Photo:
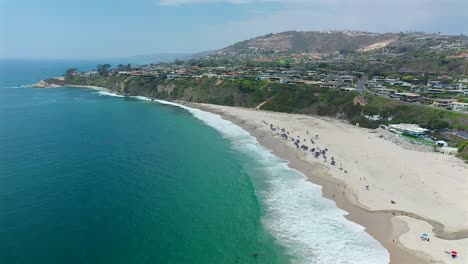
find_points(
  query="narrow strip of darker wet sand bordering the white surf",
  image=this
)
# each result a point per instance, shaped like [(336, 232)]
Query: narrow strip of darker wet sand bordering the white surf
[(318, 174)]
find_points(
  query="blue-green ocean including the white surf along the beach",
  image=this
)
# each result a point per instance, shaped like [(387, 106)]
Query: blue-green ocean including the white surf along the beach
[(90, 177)]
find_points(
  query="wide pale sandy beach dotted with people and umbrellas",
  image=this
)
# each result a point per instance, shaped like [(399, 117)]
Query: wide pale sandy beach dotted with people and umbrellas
[(396, 193)]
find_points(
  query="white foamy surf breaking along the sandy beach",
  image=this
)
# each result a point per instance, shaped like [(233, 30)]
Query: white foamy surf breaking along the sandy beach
[(311, 227)]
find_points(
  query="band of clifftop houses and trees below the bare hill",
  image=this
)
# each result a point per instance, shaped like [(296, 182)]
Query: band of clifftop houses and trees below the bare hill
[(440, 91)]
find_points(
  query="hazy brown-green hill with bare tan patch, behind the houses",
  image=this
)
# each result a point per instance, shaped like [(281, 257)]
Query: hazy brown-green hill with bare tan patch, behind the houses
[(410, 52)]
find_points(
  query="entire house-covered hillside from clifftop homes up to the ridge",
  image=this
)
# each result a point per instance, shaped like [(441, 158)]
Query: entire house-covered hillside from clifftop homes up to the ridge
[(422, 68)]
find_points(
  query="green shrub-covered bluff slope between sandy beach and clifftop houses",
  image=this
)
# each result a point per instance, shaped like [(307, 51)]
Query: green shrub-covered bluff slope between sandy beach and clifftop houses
[(301, 99)]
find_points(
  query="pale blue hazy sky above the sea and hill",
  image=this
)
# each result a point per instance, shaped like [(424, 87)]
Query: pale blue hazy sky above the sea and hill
[(91, 29)]
